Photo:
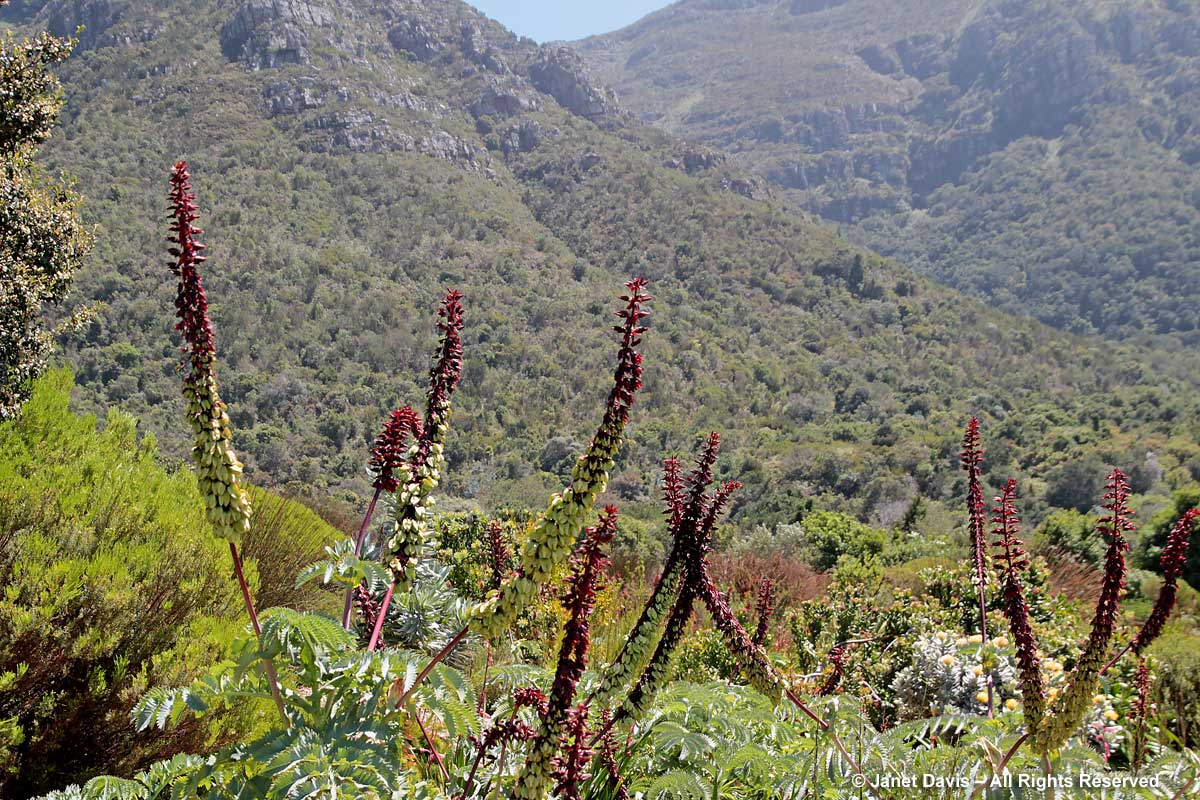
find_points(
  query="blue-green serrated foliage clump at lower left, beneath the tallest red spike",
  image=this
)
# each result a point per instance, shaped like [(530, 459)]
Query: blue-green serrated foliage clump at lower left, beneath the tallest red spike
[(344, 737)]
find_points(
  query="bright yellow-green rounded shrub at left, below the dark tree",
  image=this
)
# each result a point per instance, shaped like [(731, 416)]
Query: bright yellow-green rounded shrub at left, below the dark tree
[(112, 586)]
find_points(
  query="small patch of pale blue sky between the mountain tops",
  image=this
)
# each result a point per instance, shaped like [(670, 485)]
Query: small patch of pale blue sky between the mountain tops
[(547, 21)]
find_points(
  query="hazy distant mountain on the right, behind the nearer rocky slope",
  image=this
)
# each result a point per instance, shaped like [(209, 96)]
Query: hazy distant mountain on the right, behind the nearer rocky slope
[(1042, 154)]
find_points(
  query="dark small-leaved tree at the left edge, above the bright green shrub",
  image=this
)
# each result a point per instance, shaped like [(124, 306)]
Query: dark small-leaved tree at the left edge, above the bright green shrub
[(43, 239)]
